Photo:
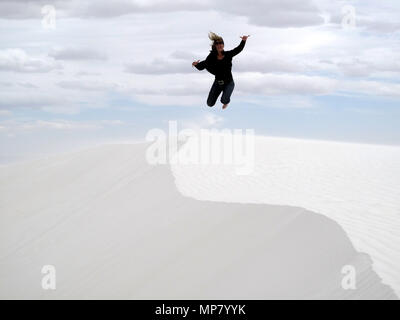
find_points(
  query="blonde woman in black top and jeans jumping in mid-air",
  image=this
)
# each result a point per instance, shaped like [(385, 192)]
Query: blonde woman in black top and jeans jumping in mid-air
[(219, 63)]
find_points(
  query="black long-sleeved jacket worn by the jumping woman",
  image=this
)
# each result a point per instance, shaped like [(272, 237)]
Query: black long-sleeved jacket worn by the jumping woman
[(222, 69)]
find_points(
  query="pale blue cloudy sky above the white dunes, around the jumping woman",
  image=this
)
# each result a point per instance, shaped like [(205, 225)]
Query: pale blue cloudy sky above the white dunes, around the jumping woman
[(77, 73)]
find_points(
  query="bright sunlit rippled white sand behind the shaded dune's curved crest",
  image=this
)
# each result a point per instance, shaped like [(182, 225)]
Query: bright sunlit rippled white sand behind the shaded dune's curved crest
[(356, 185)]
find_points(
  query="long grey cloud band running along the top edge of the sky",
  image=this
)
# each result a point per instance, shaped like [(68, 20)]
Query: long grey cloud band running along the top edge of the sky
[(274, 13)]
